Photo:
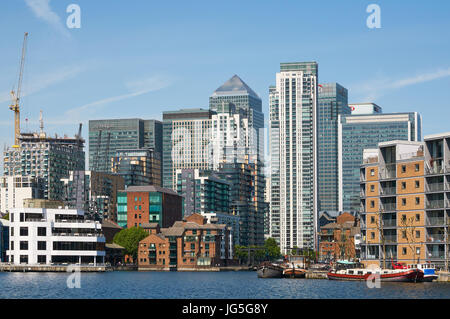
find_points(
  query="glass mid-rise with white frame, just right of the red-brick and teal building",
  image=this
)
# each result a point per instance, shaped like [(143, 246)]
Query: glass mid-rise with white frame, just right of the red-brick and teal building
[(203, 191)]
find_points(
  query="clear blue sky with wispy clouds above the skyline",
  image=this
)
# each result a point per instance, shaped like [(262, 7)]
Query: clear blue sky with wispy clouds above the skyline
[(140, 58)]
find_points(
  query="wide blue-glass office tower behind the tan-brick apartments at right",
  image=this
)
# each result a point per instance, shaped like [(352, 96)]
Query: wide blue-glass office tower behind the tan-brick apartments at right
[(357, 132)]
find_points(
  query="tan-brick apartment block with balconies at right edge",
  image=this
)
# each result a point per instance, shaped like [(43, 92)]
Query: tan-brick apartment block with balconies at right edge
[(404, 202)]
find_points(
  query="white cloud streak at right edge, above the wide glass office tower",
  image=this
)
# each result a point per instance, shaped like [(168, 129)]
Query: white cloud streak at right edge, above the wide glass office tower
[(376, 88)]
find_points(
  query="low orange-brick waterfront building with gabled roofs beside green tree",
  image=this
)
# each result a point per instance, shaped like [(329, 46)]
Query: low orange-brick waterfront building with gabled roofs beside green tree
[(191, 244)]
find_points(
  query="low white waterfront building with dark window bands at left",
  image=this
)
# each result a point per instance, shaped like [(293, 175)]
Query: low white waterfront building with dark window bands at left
[(54, 236)]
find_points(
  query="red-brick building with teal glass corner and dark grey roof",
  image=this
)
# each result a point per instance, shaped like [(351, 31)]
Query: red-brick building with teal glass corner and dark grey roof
[(148, 204)]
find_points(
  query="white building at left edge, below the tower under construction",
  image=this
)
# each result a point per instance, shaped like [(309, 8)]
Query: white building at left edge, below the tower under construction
[(14, 189)]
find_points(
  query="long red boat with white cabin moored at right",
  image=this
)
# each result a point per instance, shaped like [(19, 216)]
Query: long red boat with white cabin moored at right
[(396, 275)]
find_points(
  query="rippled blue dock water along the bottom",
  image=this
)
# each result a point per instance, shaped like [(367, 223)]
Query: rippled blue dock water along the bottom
[(210, 285)]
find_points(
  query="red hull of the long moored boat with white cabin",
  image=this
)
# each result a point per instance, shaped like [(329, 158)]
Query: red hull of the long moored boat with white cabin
[(410, 275)]
